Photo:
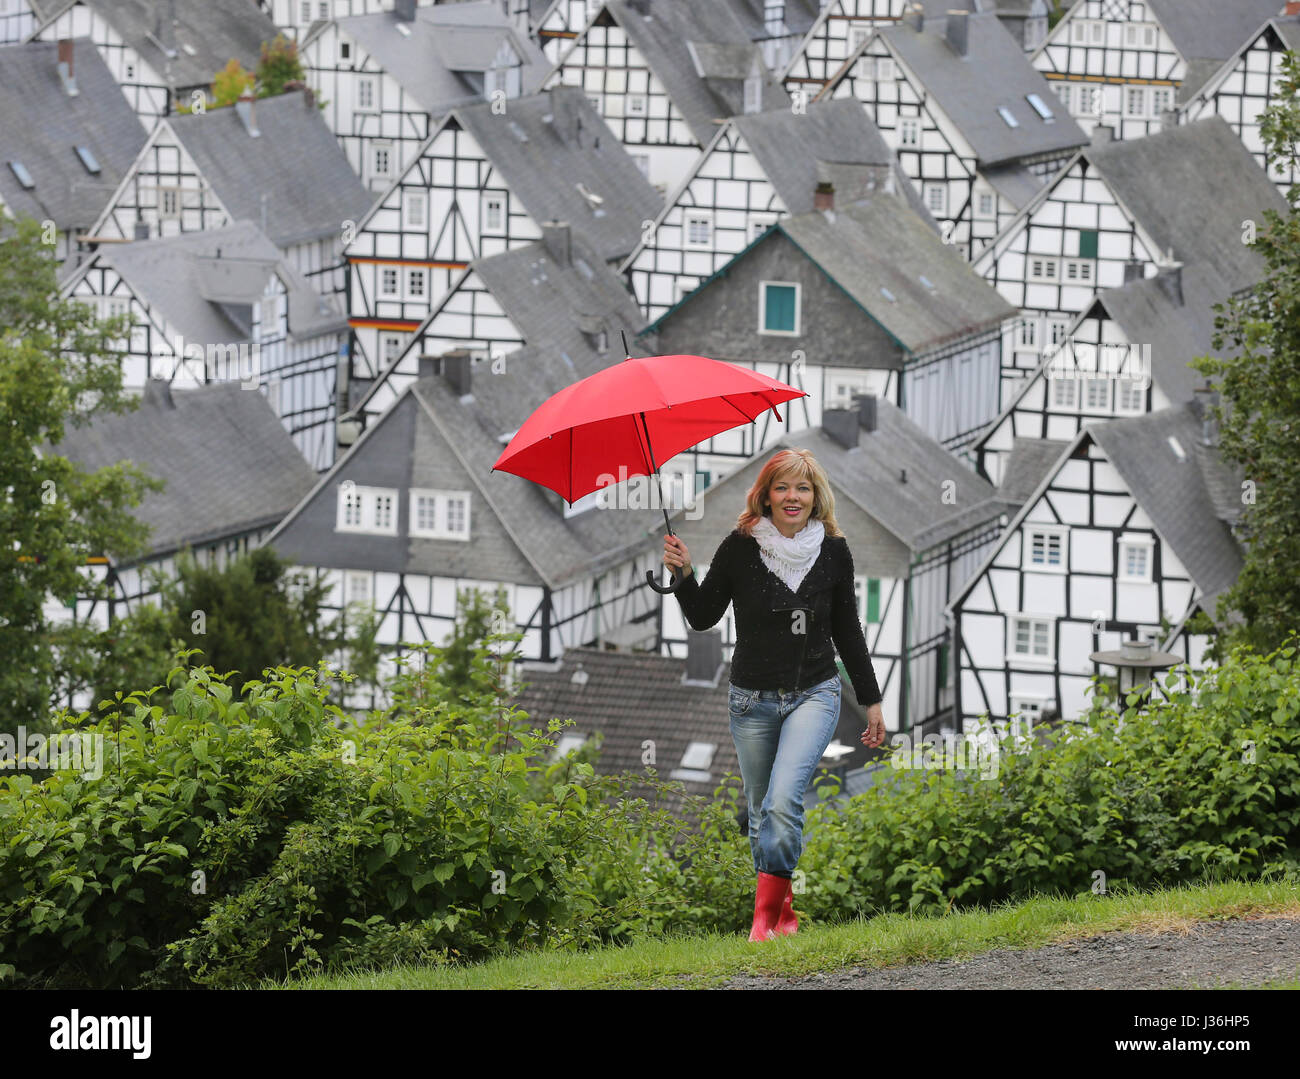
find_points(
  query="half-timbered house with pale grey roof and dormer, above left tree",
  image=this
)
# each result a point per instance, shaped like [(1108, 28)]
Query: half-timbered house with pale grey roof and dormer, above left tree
[(219, 306)]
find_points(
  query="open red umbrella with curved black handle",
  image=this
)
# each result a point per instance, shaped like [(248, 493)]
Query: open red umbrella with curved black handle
[(634, 415)]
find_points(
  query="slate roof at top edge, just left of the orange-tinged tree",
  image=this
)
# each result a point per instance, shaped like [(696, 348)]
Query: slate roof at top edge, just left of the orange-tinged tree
[(207, 34)]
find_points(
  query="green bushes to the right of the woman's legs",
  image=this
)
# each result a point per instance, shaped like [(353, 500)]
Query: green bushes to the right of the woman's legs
[(1206, 785)]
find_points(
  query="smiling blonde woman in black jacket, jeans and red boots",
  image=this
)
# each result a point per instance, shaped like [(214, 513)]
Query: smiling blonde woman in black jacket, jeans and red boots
[(788, 573)]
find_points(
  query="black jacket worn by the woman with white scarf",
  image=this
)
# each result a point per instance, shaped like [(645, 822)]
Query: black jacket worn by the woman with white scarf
[(775, 648)]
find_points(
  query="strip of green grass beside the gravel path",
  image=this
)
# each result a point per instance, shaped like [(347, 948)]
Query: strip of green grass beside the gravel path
[(885, 941)]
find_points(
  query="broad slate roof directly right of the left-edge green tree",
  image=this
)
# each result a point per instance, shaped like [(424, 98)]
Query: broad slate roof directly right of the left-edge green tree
[(228, 462)]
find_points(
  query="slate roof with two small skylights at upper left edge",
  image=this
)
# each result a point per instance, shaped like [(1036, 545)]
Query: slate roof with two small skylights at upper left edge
[(41, 125)]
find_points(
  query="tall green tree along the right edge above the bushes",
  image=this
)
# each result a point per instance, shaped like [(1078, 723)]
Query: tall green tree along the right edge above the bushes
[(1259, 414)]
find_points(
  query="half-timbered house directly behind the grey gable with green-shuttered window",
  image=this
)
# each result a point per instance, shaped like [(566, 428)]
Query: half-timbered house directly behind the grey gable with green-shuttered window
[(756, 171)]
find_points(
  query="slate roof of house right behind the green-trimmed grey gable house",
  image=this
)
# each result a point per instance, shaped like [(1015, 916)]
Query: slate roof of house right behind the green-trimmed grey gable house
[(796, 150)]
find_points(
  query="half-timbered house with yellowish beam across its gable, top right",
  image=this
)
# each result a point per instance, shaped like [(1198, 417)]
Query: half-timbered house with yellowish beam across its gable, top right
[(1125, 64)]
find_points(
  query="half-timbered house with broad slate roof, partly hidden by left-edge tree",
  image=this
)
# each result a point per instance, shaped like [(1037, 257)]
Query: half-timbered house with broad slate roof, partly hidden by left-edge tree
[(231, 475)]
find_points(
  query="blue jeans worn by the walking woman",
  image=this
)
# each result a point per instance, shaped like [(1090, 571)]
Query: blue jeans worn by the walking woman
[(779, 738)]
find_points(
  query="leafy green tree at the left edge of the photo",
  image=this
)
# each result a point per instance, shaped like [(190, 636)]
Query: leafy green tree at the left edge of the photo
[(58, 367)]
